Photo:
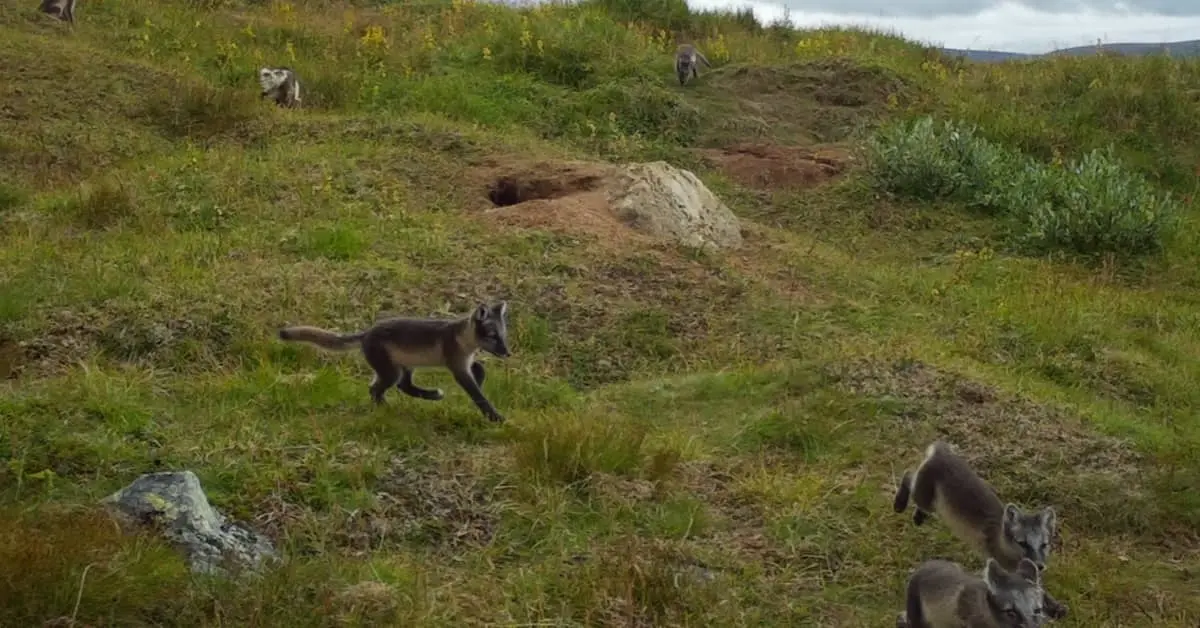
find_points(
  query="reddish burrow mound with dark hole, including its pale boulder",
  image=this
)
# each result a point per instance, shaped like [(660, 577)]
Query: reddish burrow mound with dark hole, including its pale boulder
[(635, 204)]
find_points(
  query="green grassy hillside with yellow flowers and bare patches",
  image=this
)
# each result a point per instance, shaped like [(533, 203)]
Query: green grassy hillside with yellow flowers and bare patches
[(692, 439)]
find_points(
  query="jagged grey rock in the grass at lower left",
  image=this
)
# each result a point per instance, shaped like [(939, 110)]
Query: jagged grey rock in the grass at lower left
[(176, 505)]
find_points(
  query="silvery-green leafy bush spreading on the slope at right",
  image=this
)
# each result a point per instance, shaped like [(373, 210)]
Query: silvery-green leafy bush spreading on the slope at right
[(1093, 206)]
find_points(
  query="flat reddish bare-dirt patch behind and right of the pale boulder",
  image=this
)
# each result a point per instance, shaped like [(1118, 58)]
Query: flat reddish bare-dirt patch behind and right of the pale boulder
[(767, 166)]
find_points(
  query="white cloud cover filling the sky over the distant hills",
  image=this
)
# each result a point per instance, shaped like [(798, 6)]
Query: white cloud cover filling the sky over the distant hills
[(1009, 27)]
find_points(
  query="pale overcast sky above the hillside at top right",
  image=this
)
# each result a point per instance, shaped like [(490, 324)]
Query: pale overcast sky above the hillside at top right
[(995, 25)]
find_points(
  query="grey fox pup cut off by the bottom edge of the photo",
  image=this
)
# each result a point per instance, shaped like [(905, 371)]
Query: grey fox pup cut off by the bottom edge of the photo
[(943, 595)]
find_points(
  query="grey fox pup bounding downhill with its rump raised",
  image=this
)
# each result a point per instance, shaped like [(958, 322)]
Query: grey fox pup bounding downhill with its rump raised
[(945, 485)]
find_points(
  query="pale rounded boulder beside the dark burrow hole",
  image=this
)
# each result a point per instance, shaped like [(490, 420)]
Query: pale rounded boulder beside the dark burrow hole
[(664, 201)]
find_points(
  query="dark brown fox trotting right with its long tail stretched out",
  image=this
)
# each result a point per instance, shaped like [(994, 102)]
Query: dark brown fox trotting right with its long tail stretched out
[(395, 348)]
